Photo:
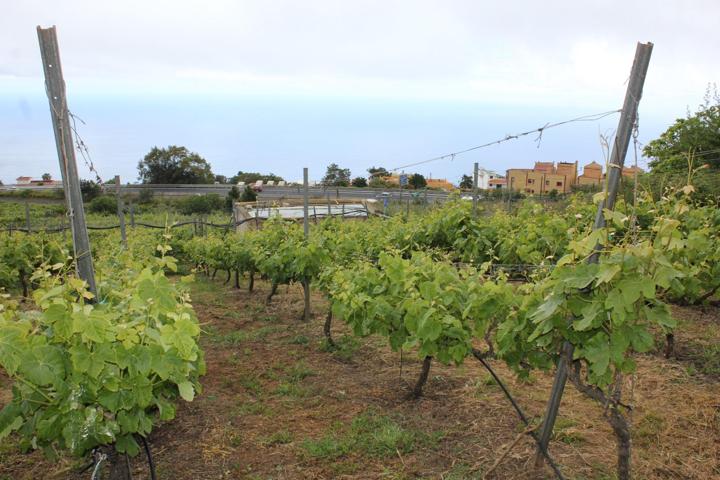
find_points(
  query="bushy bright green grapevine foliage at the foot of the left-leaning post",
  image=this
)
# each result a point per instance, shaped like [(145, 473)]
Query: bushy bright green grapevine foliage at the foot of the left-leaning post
[(91, 374)]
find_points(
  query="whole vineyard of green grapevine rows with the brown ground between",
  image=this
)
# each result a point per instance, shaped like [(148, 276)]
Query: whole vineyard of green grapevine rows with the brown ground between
[(420, 346)]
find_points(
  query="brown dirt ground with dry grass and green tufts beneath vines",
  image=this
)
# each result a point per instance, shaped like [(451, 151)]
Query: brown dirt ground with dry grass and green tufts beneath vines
[(278, 405)]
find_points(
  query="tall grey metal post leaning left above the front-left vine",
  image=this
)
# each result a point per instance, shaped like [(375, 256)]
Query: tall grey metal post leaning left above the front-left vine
[(55, 88)]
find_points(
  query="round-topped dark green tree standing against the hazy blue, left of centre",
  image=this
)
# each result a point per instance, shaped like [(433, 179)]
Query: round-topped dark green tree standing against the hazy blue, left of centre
[(174, 165)]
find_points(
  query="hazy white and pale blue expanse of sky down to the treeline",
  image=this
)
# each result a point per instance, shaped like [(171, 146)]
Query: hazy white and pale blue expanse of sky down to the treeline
[(276, 85)]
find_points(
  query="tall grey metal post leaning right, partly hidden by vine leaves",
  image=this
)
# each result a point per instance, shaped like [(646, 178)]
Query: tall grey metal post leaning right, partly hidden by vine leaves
[(626, 124)]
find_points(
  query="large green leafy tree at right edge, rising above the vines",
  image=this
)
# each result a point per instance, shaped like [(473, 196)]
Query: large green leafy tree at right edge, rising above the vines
[(697, 135)]
